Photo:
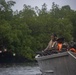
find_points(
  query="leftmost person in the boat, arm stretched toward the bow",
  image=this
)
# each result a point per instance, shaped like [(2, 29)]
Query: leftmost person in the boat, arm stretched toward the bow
[(52, 45)]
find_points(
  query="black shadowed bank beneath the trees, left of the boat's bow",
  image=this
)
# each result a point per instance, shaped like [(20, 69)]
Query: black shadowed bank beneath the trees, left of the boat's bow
[(9, 58)]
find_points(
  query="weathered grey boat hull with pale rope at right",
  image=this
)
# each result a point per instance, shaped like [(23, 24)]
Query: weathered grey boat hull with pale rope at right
[(63, 63)]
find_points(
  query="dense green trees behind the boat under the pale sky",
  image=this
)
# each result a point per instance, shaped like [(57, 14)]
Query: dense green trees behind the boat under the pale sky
[(27, 31)]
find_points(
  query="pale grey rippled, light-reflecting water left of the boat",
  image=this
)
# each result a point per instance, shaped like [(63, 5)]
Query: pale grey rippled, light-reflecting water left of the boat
[(20, 70)]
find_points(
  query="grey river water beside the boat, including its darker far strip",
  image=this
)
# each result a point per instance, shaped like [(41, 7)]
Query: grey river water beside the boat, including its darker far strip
[(19, 69)]
